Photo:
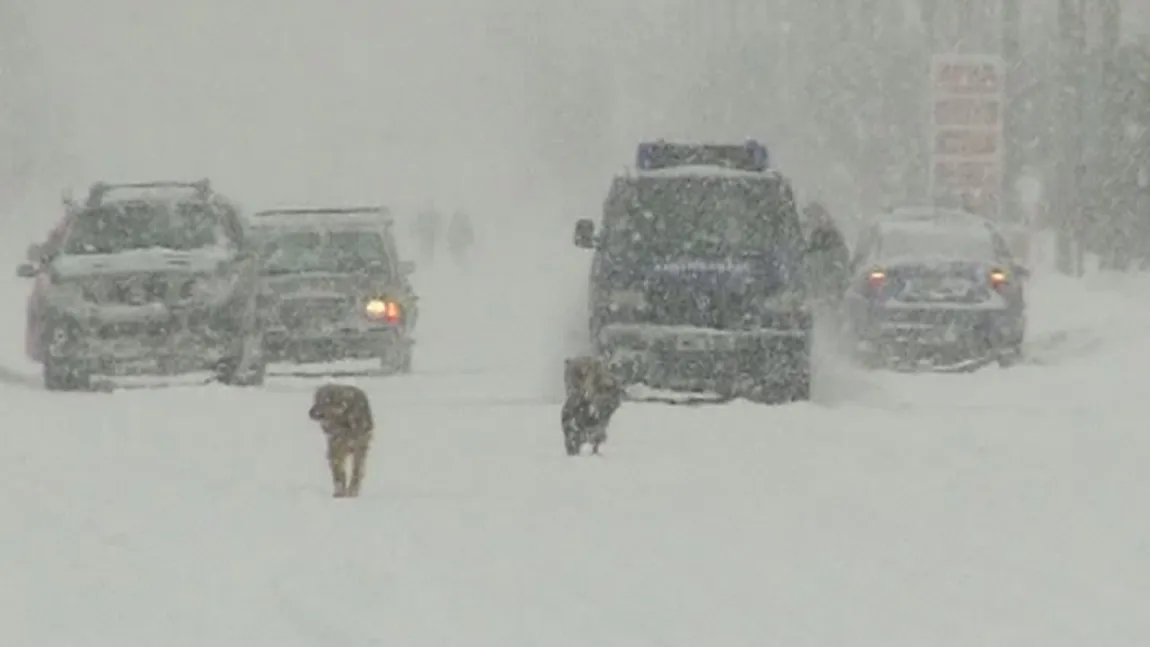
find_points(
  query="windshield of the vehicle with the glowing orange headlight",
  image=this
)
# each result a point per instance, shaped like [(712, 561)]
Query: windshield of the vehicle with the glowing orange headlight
[(340, 252)]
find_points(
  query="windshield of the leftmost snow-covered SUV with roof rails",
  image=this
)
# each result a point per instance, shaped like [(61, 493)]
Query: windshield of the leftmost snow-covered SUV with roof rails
[(117, 228)]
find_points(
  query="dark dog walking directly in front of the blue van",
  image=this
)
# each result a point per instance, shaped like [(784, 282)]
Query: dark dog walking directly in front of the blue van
[(594, 396)]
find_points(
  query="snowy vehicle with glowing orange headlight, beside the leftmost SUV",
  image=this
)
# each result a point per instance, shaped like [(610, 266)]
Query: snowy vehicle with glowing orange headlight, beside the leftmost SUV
[(334, 288)]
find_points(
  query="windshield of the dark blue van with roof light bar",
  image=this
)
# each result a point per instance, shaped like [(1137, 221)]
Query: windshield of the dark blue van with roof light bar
[(701, 218)]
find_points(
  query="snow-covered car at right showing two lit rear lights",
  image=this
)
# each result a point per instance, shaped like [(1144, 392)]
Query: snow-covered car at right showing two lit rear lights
[(939, 288)]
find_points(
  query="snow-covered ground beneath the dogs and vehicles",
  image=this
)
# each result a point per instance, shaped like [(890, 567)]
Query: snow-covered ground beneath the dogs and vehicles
[(1003, 507)]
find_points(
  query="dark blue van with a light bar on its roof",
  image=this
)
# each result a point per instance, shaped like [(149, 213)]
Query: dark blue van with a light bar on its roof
[(697, 282)]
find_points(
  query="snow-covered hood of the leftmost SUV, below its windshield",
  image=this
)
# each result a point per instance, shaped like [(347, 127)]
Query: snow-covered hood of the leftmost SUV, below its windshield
[(141, 261)]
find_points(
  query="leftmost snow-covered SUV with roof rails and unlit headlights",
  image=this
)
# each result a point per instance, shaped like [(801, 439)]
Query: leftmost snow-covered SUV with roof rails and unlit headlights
[(155, 279)]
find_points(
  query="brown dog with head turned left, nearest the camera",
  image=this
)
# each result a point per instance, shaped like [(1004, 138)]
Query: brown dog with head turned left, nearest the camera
[(346, 417)]
